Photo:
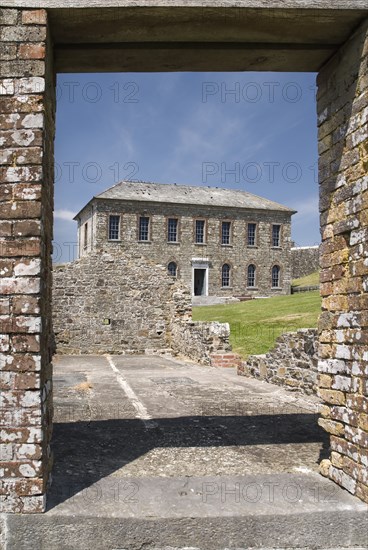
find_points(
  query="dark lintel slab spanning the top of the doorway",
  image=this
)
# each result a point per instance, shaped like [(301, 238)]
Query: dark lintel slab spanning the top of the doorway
[(197, 35)]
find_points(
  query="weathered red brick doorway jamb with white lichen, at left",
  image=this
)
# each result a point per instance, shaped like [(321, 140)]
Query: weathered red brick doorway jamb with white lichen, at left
[(27, 107)]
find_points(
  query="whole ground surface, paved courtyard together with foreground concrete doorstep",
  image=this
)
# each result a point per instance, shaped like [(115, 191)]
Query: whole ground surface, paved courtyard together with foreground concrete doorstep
[(152, 453)]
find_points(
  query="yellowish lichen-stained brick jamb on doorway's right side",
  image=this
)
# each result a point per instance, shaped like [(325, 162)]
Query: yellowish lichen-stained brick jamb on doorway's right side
[(343, 366)]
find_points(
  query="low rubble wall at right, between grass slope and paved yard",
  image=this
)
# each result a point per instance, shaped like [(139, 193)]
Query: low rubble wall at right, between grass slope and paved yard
[(292, 362)]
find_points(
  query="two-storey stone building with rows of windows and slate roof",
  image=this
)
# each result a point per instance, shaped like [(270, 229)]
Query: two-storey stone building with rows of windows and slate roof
[(220, 242)]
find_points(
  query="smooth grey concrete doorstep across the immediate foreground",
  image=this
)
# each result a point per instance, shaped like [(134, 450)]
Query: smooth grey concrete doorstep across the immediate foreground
[(206, 513)]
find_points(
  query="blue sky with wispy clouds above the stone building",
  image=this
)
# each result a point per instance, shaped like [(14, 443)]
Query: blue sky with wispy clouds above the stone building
[(251, 131)]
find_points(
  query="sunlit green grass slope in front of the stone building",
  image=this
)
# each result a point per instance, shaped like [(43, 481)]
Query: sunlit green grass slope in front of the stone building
[(256, 324)]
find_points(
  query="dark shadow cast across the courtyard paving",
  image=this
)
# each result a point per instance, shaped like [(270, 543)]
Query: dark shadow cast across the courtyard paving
[(88, 451)]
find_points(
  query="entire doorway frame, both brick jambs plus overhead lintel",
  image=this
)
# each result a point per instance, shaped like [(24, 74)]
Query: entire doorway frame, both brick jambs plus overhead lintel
[(38, 42)]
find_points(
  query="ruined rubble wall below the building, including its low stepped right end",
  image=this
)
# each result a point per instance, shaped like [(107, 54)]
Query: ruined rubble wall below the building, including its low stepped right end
[(104, 303)]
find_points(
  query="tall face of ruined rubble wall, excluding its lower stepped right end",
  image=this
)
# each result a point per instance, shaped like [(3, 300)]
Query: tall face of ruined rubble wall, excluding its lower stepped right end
[(131, 295)]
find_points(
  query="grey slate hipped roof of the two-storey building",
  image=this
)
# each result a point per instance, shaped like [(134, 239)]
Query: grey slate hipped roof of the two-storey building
[(185, 194)]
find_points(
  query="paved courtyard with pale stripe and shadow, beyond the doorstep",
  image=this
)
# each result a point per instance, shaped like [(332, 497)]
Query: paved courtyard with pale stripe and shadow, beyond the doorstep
[(150, 416)]
